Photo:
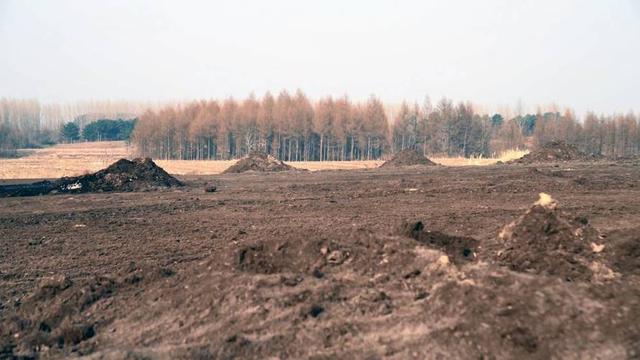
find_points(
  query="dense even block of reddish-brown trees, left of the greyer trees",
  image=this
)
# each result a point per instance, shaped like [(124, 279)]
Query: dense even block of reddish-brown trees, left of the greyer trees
[(290, 127)]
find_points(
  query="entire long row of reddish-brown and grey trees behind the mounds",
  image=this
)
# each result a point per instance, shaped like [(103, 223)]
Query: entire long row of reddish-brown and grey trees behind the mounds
[(292, 128)]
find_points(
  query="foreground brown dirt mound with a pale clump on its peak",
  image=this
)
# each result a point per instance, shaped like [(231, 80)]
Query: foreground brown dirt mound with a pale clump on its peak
[(547, 241)]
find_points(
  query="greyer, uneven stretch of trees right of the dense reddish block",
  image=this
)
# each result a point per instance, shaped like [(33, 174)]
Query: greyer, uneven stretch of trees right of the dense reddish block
[(459, 131)]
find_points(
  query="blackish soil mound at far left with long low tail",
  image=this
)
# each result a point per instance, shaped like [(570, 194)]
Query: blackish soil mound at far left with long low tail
[(124, 175)]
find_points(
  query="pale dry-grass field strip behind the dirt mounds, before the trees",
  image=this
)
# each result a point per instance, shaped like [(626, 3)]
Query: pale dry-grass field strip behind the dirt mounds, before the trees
[(77, 159)]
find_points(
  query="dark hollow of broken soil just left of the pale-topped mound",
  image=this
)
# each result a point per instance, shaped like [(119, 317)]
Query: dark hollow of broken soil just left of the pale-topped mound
[(459, 249)]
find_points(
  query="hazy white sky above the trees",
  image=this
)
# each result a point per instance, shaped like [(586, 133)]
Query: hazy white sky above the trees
[(581, 53)]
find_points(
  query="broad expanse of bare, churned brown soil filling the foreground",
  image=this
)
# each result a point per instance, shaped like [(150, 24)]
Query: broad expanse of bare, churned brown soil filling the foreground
[(400, 263)]
